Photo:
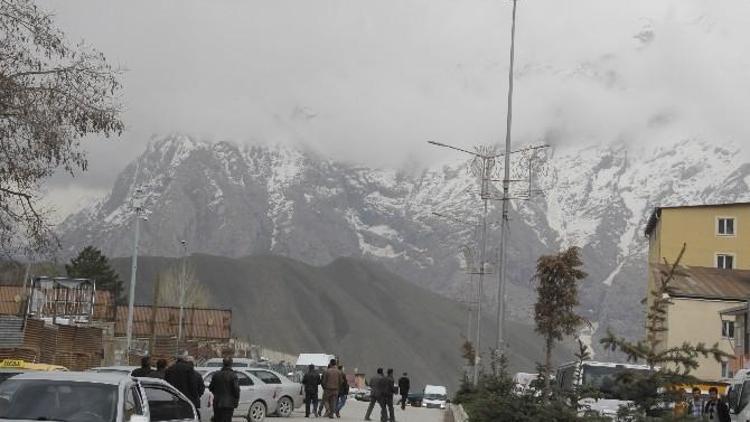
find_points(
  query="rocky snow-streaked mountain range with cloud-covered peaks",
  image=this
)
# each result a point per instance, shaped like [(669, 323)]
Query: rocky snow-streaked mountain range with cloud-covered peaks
[(231, 200)]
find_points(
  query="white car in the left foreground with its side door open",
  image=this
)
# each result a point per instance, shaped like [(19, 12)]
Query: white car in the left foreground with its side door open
[(92, 397)]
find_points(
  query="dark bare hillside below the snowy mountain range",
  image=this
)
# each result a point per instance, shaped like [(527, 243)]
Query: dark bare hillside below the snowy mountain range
[(355, 309)]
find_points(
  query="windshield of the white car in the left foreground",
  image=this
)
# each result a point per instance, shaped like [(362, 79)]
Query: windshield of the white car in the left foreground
[(65, 401)]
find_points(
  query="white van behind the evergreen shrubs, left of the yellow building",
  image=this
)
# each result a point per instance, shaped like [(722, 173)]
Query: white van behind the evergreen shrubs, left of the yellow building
[(602, 376)]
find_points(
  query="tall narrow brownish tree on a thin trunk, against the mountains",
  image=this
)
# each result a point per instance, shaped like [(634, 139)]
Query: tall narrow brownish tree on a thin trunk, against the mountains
[(557, 296)]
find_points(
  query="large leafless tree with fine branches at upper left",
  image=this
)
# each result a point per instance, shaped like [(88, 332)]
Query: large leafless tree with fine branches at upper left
[(52, 95)]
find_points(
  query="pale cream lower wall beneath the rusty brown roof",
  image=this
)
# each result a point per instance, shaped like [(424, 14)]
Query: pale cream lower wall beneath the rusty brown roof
[(693, 321)]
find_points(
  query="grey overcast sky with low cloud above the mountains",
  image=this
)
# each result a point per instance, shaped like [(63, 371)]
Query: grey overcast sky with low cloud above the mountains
[(372, 81)]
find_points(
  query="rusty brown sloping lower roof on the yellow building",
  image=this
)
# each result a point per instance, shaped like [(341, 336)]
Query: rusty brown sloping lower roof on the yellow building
[(707, 283)]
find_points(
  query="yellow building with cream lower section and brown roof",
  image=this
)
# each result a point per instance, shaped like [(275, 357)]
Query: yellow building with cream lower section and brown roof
[(717, 240)]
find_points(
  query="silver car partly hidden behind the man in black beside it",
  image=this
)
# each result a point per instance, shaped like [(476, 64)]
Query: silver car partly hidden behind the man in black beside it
[(257, 399)]
